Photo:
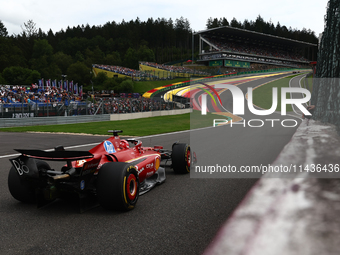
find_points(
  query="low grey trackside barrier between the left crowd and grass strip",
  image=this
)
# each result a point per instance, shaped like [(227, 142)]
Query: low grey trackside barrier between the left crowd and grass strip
[(36, 121)]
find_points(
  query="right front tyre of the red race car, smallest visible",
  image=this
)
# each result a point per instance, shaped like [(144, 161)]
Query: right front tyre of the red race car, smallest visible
[(181, 158)]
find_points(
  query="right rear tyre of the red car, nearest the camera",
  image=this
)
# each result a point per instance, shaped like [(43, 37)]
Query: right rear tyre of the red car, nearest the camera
[(118, 186)]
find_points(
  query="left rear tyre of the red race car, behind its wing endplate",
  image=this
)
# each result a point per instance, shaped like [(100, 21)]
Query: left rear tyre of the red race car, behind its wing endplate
[(20, 188)]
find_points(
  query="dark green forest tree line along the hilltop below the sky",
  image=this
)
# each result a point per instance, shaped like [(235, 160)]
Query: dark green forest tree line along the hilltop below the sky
[(35, 54)]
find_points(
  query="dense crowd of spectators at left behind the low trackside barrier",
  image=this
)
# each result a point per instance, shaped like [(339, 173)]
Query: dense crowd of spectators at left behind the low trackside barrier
[(32, 95)]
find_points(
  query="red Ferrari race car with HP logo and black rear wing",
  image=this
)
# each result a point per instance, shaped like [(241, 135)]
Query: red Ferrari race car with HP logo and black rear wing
[(113, 174)]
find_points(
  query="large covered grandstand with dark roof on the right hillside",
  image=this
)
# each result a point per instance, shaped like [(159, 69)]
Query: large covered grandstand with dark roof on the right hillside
[(239, 48)]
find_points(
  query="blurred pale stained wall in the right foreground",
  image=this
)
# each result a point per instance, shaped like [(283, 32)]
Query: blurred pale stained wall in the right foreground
[(292, 215)]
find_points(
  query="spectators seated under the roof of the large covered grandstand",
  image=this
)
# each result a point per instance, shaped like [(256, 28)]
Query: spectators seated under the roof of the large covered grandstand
[(228, 46)]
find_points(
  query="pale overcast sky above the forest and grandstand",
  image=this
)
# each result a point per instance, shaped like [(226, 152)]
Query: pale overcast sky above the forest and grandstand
[(58, 14)]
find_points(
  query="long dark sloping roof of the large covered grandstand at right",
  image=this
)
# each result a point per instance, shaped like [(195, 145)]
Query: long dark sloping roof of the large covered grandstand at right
[(242, 33)]
